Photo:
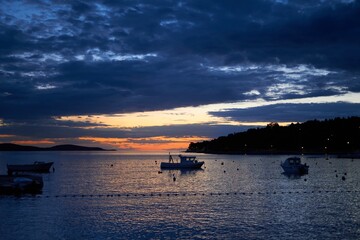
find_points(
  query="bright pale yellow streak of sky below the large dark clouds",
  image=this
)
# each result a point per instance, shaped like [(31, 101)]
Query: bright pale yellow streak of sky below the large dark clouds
[(199, 114)]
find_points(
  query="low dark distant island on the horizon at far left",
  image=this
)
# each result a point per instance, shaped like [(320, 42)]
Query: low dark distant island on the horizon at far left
[(66, 147)]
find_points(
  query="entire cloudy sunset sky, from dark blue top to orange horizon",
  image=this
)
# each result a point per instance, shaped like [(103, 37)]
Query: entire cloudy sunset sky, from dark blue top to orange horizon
[(155, 75)]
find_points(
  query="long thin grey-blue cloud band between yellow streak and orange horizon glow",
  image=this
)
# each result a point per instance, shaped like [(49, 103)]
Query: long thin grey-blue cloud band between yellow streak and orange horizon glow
[(39, 130)]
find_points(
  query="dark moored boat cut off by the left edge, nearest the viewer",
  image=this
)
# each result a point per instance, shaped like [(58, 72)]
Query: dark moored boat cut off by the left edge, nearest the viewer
[(18, 184)]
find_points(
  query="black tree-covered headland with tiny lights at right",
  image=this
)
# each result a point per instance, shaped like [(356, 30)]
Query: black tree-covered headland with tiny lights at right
[(334, 136)]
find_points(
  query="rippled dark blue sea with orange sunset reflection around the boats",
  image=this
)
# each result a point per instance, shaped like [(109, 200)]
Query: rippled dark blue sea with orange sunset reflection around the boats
[(106, 195)]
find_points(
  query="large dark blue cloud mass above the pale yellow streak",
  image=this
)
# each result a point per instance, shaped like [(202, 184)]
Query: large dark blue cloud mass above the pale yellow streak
[(100, 57)]
